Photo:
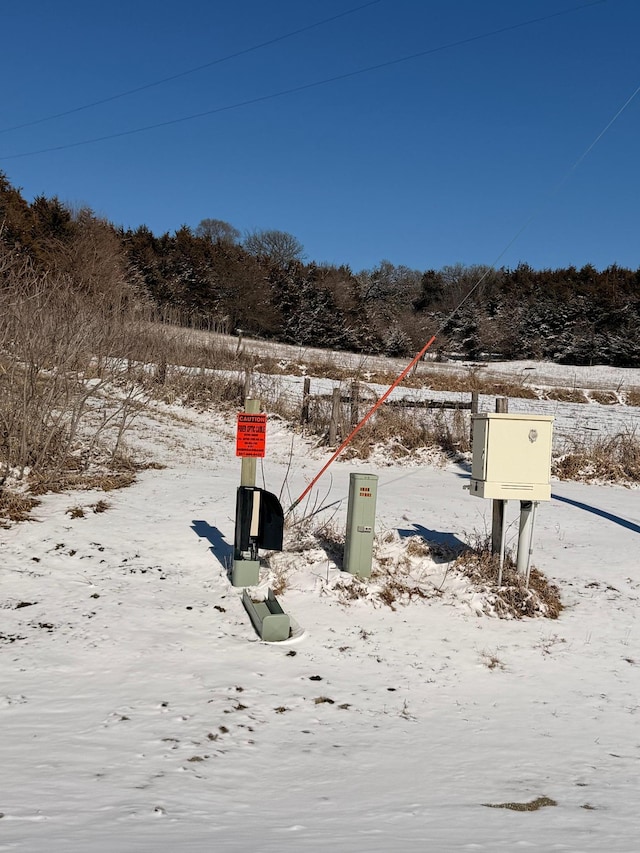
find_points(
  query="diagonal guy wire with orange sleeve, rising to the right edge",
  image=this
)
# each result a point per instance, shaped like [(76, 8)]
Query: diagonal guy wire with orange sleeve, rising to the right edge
[(443, 325)]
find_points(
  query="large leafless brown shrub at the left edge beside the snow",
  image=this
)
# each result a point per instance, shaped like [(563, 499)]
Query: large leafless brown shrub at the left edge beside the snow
[(58, 409)]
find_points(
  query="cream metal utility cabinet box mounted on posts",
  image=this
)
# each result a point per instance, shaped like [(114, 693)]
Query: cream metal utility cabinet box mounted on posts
[(511, 456)]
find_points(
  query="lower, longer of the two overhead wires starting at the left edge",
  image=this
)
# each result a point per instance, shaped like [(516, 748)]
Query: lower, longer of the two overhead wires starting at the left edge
[(304, 87)]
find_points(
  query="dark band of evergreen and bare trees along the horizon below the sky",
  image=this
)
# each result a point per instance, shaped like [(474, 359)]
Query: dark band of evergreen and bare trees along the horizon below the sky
[(213, 277)]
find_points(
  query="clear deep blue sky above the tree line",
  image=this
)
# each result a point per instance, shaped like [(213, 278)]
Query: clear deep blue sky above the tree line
[(431, 161)]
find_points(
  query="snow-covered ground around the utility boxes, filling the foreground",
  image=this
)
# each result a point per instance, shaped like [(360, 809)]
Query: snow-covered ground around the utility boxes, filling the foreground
[(140, 712)]
